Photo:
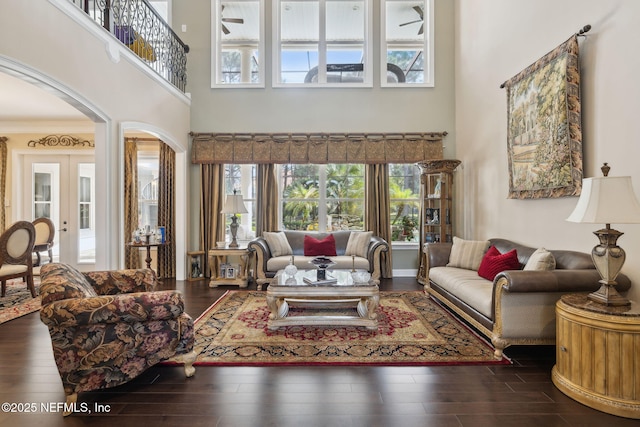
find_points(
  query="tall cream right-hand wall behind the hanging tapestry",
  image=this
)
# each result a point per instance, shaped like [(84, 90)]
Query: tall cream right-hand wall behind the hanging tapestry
[(496, 39)]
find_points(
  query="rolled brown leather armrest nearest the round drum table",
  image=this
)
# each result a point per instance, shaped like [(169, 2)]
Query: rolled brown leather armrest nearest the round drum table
[(560, 280)]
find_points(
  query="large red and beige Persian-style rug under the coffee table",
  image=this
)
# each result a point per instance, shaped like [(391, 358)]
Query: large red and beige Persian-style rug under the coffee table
[(412, 330)]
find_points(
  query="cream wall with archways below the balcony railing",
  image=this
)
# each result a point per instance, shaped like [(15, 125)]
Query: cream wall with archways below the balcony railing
[(105, 79)]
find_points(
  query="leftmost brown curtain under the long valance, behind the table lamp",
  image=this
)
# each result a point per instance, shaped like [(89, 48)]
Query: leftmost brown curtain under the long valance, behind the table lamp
[(212, 225)]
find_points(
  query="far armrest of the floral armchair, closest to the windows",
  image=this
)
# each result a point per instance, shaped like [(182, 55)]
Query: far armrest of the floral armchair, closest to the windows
[(122, 281)]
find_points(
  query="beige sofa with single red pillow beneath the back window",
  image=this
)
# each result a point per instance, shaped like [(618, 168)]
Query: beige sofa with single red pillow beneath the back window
[(353, 249)]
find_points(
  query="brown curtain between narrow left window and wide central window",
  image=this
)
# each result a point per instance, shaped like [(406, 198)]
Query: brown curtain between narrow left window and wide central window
[(267, 192)]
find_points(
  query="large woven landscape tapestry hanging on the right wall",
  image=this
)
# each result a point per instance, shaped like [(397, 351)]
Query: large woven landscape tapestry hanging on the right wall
[(544, 135)]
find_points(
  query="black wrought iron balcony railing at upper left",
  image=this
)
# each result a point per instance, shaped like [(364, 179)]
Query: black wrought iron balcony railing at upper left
[(136, 24)]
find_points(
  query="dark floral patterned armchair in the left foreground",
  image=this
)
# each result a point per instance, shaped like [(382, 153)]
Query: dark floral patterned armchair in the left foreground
[(108, 327)]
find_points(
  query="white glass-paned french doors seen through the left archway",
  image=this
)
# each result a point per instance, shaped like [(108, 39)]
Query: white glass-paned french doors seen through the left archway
[(62, 188)]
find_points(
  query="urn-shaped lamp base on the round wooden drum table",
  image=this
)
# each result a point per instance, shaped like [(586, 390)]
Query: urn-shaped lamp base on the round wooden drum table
[(608, 258)]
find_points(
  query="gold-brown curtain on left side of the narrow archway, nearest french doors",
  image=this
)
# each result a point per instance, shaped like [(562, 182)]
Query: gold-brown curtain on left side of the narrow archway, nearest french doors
[(132, 258)]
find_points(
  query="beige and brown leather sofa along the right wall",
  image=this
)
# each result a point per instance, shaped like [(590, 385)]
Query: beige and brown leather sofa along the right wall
[(517, 307)]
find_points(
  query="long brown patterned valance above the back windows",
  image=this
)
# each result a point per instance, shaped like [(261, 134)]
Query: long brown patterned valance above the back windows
[(321, 148)]
